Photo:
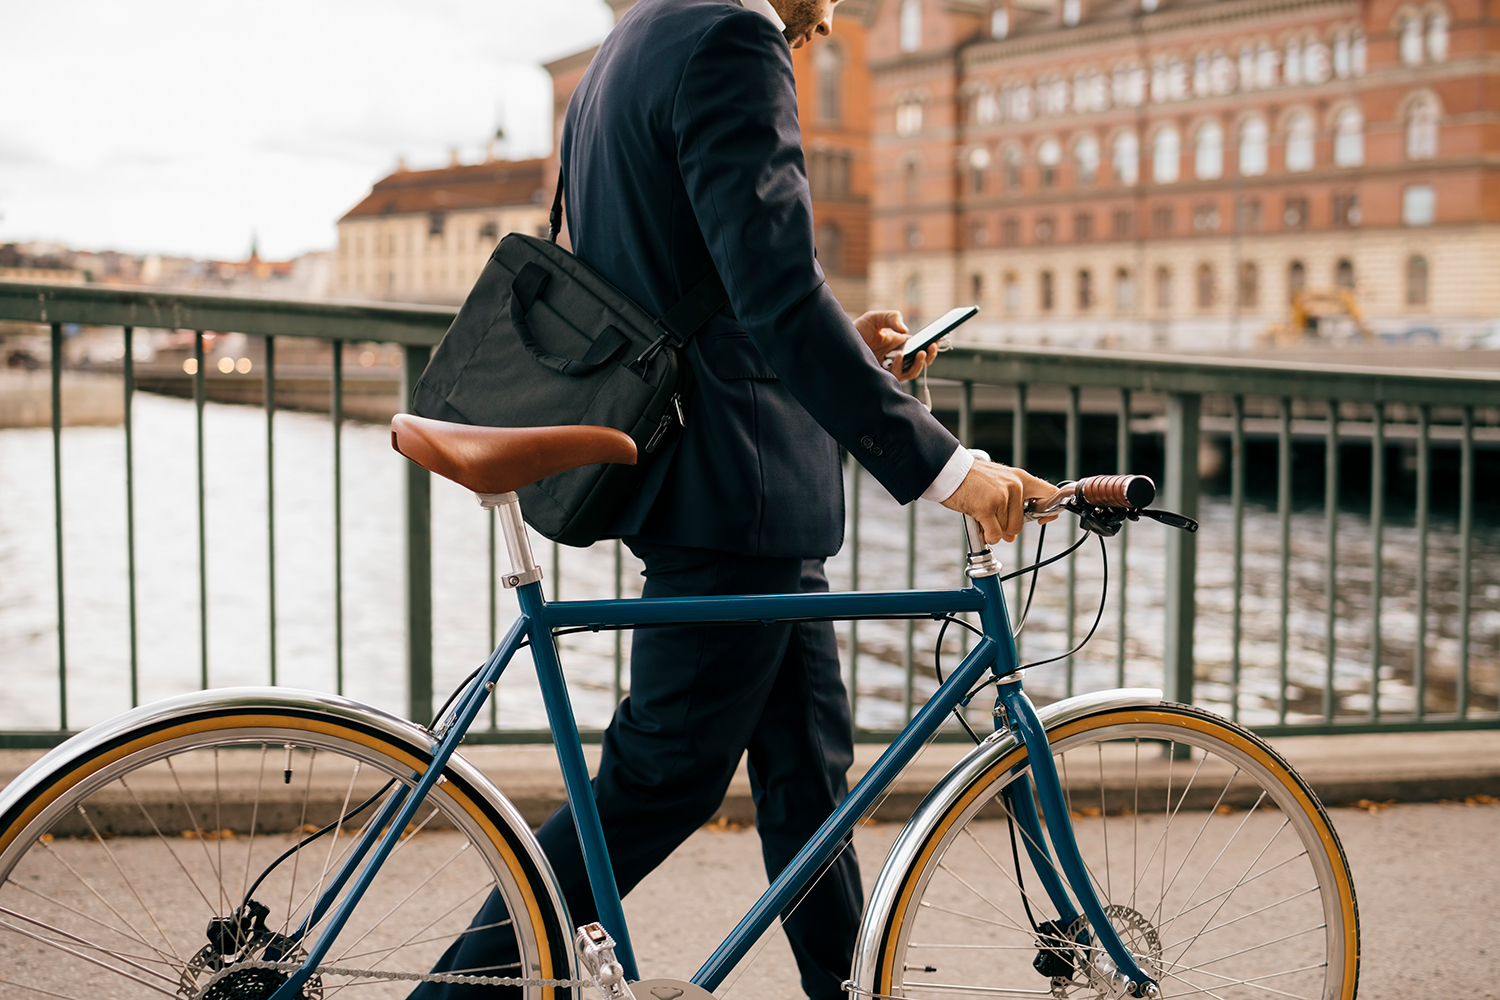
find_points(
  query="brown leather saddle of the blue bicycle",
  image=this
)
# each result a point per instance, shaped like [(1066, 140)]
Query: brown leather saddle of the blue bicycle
[(505, 460)]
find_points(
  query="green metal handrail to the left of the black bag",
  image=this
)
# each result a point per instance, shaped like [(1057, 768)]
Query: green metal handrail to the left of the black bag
[(125, 307)]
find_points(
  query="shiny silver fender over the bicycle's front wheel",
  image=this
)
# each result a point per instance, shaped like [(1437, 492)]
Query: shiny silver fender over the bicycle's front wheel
[(919, 830)]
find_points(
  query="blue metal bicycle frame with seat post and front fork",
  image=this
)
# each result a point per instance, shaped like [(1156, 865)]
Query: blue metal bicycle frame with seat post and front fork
[(541, 620)]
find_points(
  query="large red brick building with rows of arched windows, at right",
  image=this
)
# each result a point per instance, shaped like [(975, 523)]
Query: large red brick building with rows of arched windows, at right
[(1166, 173)]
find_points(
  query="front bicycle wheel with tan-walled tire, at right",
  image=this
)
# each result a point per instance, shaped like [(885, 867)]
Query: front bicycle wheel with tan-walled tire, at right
[(1216, 863)]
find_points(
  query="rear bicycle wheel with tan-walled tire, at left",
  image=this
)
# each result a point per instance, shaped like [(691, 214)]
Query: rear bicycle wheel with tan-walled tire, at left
[(133, 872)]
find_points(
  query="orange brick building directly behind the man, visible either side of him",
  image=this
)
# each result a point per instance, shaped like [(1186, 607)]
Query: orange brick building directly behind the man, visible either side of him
[(835, 107)]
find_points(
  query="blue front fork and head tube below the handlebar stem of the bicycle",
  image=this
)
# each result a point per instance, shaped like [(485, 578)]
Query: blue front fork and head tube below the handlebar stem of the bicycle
[(1016, 710)]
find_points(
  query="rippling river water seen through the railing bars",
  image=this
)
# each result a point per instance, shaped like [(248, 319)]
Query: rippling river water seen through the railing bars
[(238, 587)]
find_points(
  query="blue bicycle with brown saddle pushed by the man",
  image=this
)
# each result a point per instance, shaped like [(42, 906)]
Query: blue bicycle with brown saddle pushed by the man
[(275, 845)]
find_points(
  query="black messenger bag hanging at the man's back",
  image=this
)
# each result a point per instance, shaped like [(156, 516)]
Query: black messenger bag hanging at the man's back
[(544, 341)]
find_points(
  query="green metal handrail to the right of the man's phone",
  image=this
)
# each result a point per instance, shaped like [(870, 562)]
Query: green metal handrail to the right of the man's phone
[(1213, 376)]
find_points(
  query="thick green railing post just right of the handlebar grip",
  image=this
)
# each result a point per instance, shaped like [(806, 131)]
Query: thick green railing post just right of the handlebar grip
[(1183, 549)]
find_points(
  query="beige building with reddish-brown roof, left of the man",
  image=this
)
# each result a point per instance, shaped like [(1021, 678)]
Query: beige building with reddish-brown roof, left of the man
[(424, 236)]
